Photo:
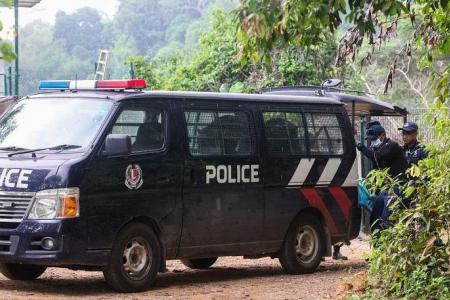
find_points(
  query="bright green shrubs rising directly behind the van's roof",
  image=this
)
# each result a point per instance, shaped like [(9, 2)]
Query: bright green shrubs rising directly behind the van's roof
[(215, 66)]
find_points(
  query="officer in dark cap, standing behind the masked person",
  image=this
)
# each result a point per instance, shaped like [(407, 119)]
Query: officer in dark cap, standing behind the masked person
[(414, 151)]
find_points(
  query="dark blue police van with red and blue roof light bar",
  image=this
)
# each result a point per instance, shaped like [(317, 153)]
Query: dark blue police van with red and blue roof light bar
[(99, 175)]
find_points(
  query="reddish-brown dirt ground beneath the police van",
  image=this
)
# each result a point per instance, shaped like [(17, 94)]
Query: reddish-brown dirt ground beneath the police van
[(229, 278)]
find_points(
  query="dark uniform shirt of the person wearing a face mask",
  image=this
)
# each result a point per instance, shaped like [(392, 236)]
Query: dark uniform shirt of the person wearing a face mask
[(388, 155)]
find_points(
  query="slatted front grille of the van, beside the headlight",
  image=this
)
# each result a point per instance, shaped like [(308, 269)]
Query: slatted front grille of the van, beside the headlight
[(14, 206)]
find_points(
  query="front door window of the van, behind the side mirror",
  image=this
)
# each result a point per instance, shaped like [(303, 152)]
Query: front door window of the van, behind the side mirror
[(145, 126)]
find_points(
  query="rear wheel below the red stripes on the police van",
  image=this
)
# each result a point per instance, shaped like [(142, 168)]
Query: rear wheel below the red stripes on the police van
[(303, 246)]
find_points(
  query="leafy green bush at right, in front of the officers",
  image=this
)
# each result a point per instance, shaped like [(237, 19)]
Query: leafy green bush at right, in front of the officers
[(411, 258)]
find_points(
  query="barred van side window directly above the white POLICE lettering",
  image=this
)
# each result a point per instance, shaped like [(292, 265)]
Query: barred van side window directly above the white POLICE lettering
[(218, 133)]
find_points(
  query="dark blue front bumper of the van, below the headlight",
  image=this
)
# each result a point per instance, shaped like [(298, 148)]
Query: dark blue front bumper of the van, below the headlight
[(23, 244)]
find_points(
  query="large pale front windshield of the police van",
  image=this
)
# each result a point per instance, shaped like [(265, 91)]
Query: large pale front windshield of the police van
[(46, 123)]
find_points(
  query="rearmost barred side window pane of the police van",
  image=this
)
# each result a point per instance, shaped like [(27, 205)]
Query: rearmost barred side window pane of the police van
[(325, 134)]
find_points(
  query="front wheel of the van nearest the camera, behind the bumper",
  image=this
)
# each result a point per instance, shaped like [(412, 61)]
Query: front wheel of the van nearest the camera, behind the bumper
[(135, 260)]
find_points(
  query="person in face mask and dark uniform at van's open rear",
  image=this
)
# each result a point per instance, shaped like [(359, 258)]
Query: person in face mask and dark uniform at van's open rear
[(385, 153)]
